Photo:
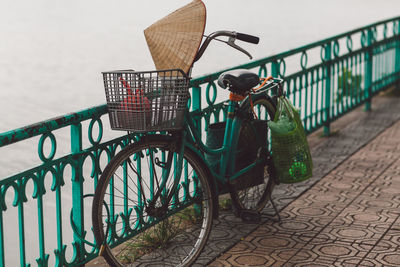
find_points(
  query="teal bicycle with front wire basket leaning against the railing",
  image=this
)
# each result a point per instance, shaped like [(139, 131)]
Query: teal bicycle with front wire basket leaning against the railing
[(158, 196)]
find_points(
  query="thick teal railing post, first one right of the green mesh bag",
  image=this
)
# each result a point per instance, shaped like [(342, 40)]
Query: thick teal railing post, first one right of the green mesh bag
[(328, 82)]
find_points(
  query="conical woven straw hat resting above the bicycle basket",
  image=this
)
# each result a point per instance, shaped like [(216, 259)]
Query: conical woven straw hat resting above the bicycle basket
[(174, 40)]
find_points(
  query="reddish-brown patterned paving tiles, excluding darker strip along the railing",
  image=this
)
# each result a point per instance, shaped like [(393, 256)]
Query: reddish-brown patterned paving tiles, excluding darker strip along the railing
[(350, 217)]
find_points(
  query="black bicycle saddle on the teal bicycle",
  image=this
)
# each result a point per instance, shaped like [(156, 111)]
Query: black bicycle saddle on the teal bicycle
[(238, 81)]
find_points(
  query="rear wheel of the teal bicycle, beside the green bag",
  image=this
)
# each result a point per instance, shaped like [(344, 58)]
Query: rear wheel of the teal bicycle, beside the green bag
[(254, 197)]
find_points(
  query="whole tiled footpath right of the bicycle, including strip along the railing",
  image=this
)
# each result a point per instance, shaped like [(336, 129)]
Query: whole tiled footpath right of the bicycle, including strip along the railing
[(347, 214)]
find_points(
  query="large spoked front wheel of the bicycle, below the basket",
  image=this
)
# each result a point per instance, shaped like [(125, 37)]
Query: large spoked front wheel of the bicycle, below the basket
[(144, 213)]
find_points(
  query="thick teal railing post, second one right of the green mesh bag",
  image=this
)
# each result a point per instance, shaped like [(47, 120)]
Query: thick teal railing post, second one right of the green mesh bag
[(368, 71)]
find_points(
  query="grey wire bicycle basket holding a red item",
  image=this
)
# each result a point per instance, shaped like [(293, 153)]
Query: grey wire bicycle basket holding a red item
[(146, 101)]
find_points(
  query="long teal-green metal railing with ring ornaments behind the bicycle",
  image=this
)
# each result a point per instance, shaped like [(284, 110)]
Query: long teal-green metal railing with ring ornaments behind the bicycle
[(327, 79)]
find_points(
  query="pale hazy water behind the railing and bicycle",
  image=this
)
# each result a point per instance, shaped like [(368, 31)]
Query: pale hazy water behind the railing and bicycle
[(52, 53)]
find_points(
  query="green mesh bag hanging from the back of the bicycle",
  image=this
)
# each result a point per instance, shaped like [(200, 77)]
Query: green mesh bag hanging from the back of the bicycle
[(290, 150)]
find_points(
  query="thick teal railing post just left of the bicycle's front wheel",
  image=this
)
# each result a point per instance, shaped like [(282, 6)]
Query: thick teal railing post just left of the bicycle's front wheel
[(77, 190)]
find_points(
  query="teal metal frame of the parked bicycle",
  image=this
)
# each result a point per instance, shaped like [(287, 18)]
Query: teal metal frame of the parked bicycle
[(190, 138)]
